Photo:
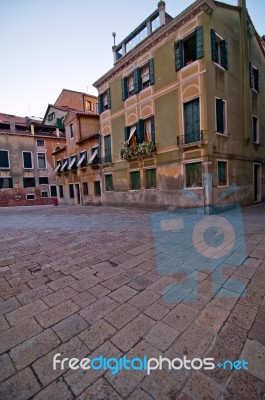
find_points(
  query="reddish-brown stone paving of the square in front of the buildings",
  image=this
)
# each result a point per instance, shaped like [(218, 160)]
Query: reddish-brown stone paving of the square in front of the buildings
[(83, 282)]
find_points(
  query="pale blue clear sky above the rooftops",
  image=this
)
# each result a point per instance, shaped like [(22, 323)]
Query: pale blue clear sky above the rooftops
[(48, 45)]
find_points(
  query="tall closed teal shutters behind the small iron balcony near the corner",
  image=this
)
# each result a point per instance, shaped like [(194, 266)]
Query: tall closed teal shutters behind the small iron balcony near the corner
[(192, 132)]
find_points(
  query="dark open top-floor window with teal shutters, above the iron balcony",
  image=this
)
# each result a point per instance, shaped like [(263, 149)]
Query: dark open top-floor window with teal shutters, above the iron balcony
[(189, 49)]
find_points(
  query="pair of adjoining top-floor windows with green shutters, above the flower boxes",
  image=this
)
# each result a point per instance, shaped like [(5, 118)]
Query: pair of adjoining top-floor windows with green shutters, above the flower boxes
[(140, 79)]
